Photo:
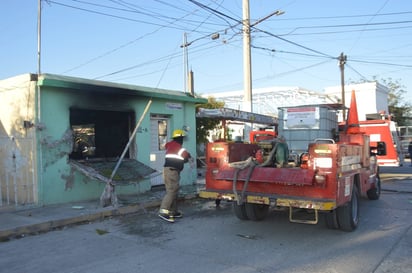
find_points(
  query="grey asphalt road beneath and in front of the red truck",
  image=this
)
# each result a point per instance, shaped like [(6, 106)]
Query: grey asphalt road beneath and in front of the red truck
[(210, 239)]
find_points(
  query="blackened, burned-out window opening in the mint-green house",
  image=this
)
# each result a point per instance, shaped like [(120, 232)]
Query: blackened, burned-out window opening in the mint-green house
[(99, 133)]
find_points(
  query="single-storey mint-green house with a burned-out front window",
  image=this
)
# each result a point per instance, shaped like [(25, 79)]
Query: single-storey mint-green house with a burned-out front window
[(61, 137)]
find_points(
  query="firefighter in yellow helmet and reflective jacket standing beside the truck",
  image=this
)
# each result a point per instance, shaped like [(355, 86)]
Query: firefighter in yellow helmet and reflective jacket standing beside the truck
[(176, 157)]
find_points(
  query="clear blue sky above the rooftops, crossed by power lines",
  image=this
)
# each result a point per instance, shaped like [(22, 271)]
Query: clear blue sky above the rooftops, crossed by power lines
[(142, 42)]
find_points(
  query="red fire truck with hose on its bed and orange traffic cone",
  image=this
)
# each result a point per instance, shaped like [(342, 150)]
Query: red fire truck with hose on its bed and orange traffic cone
[(329, 180)]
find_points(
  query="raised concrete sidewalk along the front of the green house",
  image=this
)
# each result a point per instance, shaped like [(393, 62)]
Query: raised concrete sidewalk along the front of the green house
[(19, 223)]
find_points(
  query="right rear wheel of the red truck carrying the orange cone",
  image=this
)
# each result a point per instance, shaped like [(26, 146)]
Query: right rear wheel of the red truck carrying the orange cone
[(348, 214)]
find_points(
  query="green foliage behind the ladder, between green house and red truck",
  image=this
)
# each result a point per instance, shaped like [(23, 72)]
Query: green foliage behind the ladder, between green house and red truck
[(203, 125)]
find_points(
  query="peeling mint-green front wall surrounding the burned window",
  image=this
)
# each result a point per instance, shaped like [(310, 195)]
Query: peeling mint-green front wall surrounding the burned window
[(59, 183)]
